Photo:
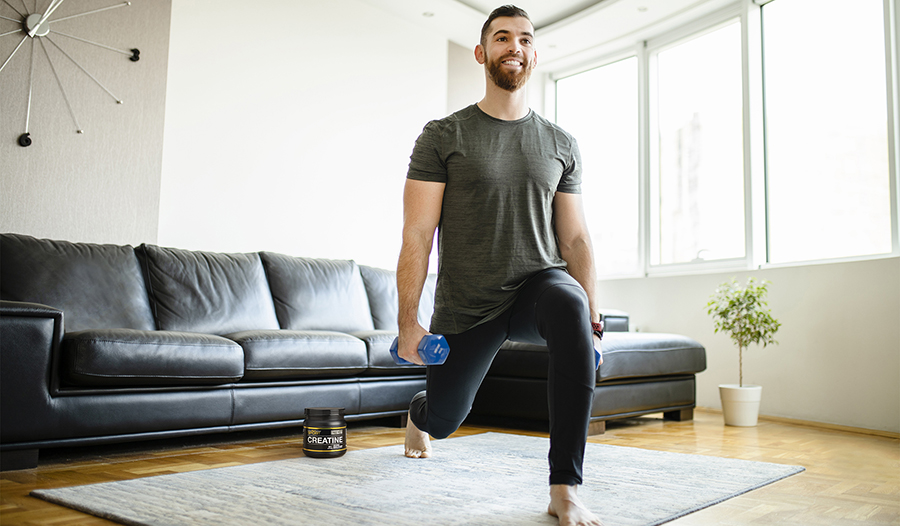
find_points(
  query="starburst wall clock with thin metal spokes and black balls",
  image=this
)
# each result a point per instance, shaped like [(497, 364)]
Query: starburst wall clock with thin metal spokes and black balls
[(36, 32)]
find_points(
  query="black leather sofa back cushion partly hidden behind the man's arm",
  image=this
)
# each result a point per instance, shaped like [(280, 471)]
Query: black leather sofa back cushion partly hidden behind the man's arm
[(381, 287)]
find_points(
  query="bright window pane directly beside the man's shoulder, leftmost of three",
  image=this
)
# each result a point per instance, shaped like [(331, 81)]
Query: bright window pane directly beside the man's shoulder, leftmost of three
[(600, 108)]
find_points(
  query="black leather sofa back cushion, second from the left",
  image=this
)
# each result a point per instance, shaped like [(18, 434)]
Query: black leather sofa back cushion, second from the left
[(207, 292)]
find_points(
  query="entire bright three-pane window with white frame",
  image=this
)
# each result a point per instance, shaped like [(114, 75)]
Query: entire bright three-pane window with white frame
[(758, 134)]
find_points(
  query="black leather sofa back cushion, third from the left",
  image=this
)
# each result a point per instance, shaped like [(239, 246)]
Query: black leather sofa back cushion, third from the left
[(317, 294)]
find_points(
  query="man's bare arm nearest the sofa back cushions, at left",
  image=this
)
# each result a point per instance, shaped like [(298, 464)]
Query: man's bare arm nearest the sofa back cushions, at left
[(422, 202)]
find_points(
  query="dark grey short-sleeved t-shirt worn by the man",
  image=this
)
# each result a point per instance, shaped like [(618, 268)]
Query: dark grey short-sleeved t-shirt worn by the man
[(496, 228)]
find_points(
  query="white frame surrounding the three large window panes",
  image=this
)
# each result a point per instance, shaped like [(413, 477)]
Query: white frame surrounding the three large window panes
[(756, 227)]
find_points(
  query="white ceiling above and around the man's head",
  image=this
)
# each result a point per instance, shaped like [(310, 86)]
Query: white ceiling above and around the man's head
[(566, 30)]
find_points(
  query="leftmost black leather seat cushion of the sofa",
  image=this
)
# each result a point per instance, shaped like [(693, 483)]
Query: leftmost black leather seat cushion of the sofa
[(128, 358)]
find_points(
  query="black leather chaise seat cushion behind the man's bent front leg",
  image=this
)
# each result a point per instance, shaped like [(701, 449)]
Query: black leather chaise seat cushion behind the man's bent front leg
[(625, 355)]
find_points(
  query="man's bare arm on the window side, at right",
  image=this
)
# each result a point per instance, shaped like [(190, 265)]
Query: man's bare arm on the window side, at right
[(575, 246)]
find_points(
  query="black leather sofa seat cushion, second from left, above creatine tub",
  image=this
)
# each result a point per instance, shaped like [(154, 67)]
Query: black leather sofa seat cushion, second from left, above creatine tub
[(285, 355)]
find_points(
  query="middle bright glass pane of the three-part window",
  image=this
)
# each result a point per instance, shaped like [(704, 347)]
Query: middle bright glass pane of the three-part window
[(697, 181)]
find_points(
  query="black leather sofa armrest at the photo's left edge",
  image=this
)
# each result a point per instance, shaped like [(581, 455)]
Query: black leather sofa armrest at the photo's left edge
[(30, 336)]
